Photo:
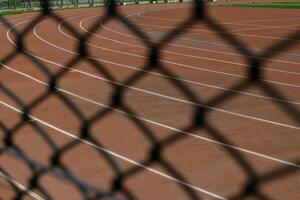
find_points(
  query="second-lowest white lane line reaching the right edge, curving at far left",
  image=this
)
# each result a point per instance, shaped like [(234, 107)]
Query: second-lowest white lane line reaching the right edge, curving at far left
[(154, 93)]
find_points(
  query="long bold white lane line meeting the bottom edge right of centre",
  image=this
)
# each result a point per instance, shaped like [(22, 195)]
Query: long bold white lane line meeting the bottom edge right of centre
[(119, 156)]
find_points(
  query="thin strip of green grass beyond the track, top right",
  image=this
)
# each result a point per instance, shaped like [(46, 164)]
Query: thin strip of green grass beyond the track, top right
[(290, 5)]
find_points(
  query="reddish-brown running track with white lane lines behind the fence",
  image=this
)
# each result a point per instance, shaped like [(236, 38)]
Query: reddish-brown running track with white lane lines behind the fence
[(252, 122)]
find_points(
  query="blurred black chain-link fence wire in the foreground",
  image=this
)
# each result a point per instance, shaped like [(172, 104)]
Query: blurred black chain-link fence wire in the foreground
[(56, 168)]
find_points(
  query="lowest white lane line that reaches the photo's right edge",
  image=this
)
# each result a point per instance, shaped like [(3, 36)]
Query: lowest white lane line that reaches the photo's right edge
[(174, 130)]
